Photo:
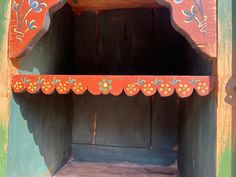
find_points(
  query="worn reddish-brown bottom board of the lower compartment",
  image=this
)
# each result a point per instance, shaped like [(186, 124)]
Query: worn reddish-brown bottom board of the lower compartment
[(87, 169)]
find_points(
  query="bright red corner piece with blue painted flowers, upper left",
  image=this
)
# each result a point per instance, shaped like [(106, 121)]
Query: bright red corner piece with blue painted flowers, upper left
[(30, 19)]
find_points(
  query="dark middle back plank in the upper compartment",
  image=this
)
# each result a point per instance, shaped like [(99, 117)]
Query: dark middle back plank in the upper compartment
[(126, 37)]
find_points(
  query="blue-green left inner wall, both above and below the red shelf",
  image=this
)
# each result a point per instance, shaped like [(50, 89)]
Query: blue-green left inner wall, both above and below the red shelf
[(40, 129)]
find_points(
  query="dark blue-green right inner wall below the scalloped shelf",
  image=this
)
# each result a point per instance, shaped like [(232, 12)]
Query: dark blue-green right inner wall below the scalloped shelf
[(197, 145)]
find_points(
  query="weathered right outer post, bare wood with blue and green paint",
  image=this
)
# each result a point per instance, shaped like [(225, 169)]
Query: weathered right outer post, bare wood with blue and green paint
[(226, 104)]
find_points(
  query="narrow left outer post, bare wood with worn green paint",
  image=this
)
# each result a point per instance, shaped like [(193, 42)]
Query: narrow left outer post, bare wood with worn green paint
[(5, 73)]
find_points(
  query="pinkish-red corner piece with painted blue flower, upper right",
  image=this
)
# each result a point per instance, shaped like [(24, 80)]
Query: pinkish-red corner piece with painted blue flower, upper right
[(196, 20)]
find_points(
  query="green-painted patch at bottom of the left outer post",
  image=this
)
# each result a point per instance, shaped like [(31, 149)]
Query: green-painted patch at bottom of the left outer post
[(3, 153)]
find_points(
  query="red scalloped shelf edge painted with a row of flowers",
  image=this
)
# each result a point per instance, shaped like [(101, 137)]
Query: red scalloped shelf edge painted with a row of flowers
[(115, 85)]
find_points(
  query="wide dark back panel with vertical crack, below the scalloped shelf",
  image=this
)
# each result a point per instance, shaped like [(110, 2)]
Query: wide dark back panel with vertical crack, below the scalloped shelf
[(120, 121)]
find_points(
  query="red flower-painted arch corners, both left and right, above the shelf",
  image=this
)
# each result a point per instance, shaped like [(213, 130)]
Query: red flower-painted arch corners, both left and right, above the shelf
[(30, 19)]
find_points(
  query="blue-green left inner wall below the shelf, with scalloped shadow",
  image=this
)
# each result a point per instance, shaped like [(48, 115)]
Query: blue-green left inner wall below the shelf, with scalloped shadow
[(39, 135)]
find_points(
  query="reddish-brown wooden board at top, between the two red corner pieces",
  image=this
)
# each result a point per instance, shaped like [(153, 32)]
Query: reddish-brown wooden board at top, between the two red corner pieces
[(97, 5)]
